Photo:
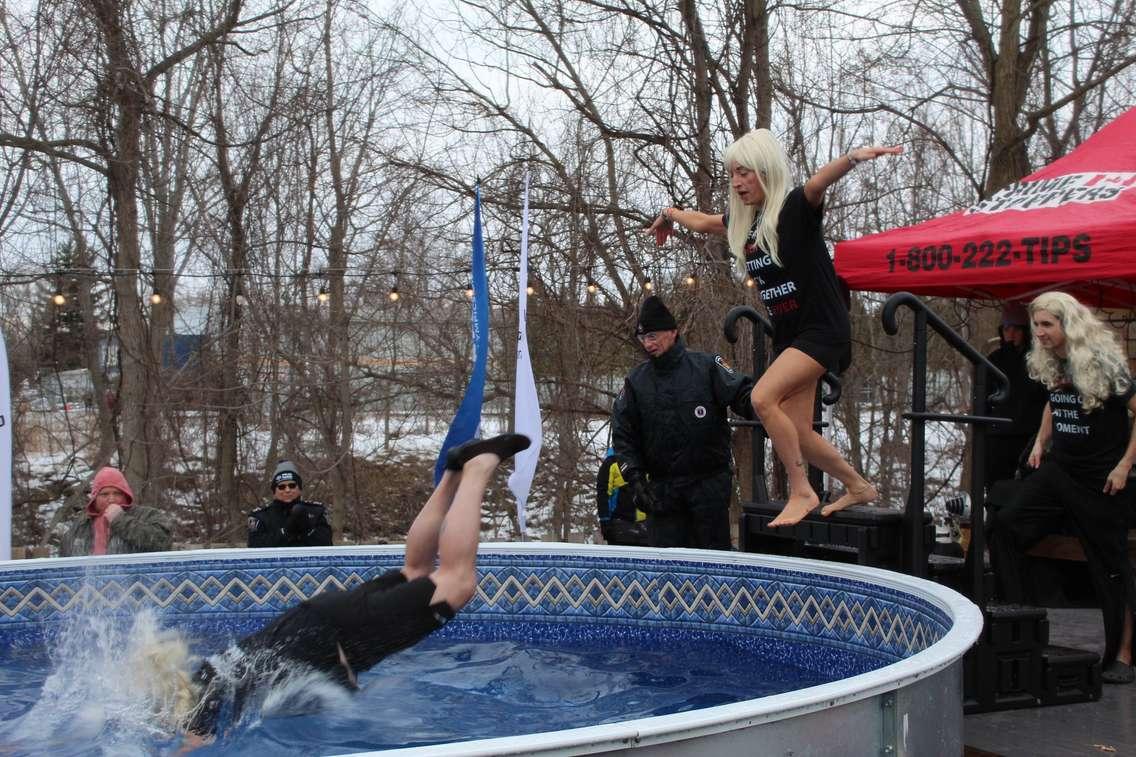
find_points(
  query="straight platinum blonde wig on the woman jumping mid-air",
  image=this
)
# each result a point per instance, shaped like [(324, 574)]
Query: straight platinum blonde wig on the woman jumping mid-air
[(759, 152)]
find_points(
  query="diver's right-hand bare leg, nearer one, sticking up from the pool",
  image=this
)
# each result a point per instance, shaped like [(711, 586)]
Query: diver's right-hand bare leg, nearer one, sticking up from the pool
[(457, 575)]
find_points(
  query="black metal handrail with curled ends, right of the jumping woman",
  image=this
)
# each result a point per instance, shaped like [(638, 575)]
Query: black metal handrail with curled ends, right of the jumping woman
[(914, 515)]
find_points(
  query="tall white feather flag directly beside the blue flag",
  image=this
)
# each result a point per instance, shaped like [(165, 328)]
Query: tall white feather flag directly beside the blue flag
[(527, 407)]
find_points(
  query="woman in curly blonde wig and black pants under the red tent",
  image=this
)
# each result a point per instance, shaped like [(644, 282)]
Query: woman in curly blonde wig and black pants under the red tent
[(1083, 480)]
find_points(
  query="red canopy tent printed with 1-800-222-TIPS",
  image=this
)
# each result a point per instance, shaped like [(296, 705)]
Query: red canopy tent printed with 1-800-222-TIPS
[(1071, 226)]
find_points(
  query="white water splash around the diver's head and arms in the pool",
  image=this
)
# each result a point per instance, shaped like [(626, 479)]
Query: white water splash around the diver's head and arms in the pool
[(120, 686)]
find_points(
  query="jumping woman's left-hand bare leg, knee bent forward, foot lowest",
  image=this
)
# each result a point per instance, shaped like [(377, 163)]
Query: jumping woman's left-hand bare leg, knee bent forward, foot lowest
[(792, 372)]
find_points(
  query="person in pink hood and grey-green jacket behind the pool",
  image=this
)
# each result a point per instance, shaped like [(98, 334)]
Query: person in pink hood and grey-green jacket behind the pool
[(112, 525)]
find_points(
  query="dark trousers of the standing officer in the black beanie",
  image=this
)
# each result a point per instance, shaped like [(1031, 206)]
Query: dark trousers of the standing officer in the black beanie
[(691, 512)]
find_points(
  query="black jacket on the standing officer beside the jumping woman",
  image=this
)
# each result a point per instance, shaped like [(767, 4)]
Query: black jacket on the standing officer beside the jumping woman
[(670, 420)]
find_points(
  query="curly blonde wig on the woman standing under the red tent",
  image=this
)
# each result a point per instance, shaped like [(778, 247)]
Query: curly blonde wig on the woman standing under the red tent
[(1097, 364)]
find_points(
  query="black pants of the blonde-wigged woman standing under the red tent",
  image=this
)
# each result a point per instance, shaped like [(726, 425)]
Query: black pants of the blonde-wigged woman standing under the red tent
[(1043, 504)]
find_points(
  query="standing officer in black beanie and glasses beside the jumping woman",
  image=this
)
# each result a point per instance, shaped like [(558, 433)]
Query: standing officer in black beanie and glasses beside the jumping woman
[(671, 435)]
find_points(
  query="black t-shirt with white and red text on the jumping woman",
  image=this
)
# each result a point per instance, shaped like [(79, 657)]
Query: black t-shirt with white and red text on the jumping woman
[(803, 298)]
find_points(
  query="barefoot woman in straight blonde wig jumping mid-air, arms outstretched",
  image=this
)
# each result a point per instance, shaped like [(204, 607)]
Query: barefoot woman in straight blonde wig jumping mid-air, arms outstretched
[(776, 236)]
